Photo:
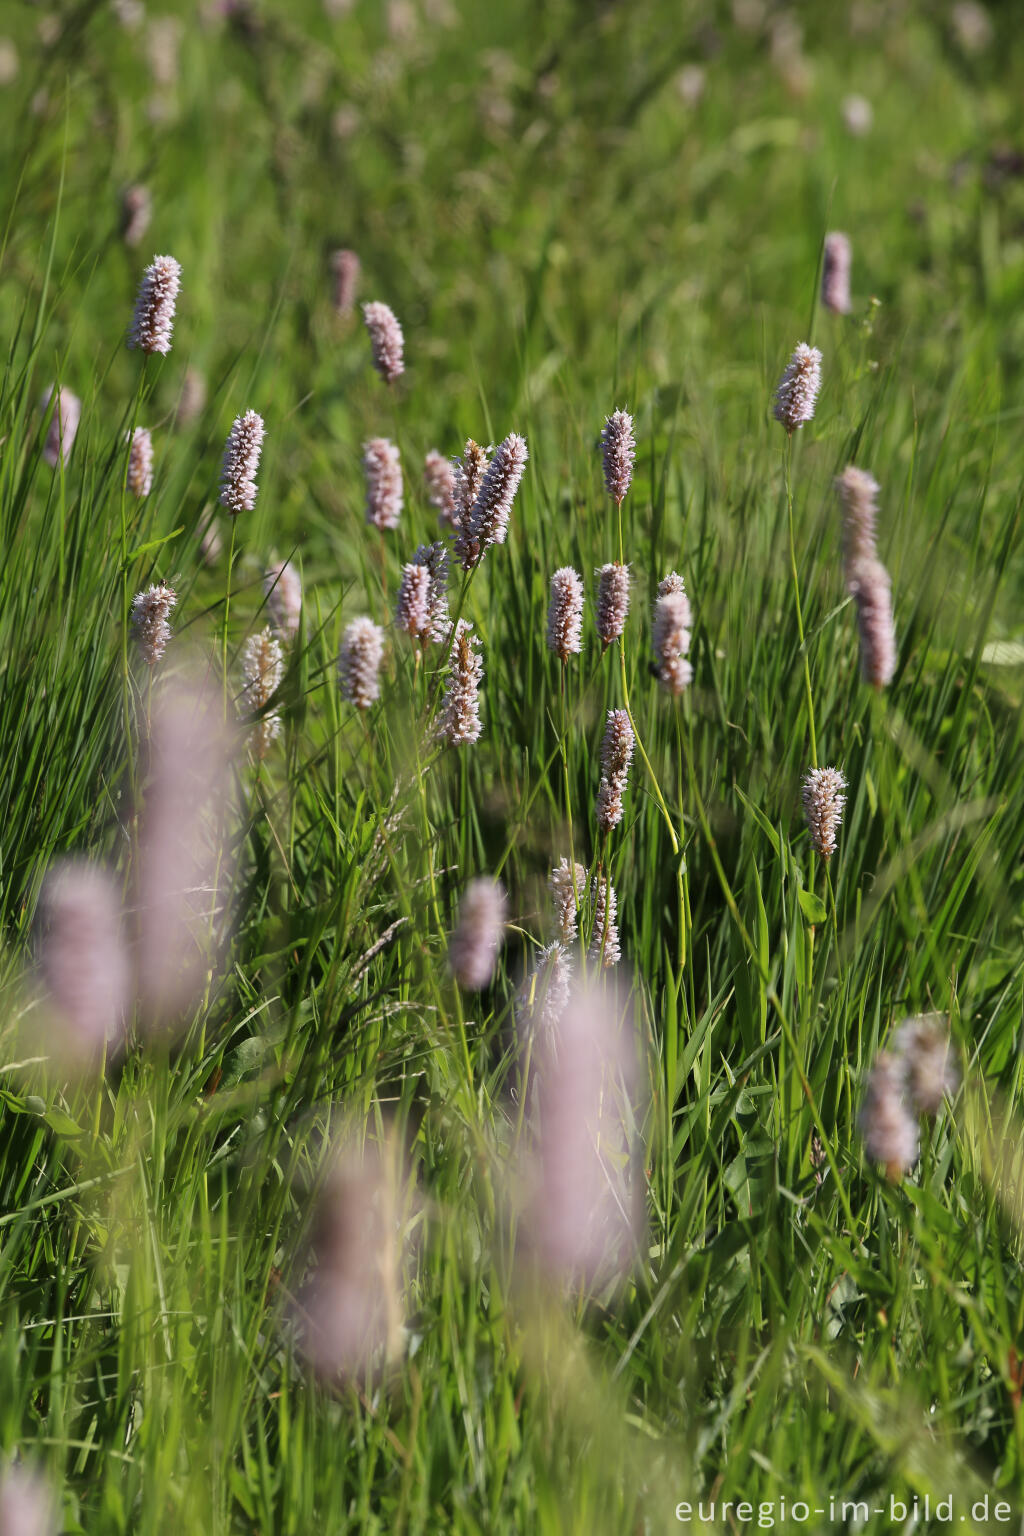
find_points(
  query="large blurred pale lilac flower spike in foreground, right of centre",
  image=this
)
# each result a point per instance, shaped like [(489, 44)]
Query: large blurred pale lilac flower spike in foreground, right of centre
[(584, 1210)]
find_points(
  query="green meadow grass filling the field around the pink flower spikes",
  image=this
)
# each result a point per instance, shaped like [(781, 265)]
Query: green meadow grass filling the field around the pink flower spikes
[(561, 233)]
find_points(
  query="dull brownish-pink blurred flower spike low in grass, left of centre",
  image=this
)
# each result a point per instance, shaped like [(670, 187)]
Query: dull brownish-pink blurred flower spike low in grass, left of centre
[(349, 1313)]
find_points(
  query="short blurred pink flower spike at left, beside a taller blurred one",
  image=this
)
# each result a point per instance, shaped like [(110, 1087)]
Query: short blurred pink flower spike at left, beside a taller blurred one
[(82, 959)]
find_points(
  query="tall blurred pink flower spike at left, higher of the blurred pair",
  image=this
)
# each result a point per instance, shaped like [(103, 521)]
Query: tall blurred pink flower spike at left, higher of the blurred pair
[(183, 876)]
